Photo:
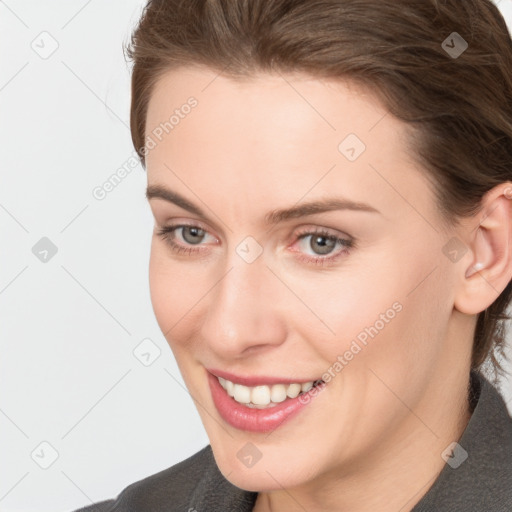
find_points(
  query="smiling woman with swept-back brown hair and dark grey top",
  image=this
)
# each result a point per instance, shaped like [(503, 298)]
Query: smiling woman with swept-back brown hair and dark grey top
[(331, 261)]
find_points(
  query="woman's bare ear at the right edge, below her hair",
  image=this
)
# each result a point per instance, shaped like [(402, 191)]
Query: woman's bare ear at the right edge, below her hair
[(488, 267)]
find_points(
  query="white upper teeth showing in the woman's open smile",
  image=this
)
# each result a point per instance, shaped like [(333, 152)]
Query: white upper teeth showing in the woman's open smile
[(261, 396)]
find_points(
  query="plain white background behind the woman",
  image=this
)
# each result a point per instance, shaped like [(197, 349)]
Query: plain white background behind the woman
[(69, 326)]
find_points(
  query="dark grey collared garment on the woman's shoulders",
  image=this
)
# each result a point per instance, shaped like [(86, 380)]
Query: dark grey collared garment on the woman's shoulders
[(481, 483)]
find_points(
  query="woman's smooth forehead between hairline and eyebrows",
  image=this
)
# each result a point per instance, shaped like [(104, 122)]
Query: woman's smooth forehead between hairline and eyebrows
[(277, 138)]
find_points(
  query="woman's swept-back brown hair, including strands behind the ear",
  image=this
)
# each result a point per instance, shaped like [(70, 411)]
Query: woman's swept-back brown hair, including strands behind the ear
[(458, 109)]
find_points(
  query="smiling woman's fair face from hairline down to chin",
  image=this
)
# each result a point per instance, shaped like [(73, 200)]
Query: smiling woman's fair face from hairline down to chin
[(264, 296)]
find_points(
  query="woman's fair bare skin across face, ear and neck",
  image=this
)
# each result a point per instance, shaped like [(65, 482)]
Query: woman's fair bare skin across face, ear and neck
[(372, 438)]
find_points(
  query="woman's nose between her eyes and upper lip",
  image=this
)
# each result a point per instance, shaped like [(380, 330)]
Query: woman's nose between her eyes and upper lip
[(244, 313)]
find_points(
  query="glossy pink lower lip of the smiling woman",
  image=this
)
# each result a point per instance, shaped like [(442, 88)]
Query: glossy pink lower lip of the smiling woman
[(252, 420)]
